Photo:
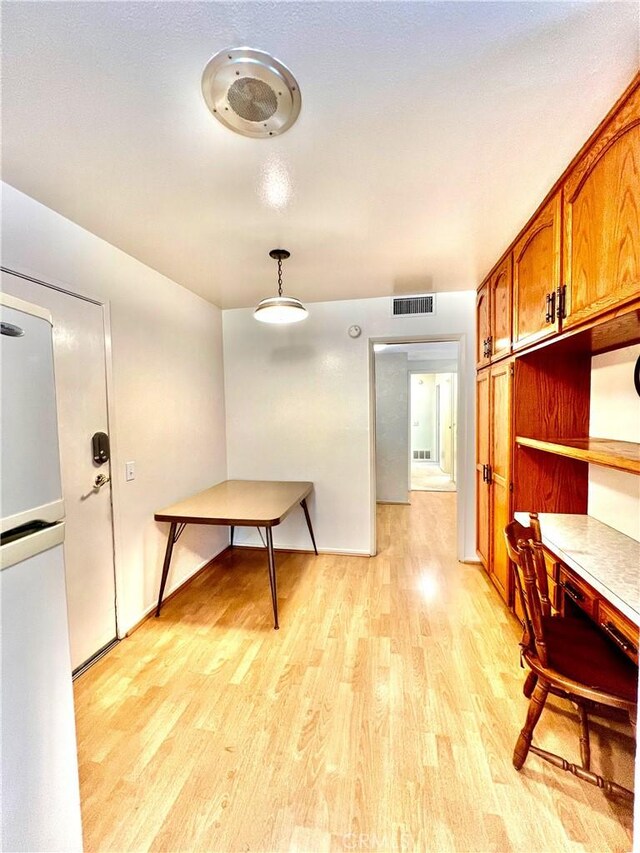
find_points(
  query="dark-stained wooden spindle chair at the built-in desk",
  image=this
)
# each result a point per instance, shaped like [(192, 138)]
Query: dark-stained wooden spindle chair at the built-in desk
[(569, 657)]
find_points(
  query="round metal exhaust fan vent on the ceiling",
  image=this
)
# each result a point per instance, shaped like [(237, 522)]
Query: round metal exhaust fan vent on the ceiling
[(250, 92)]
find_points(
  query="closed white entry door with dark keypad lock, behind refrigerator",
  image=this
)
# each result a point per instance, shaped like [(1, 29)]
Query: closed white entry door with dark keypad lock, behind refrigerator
[(79, 358)]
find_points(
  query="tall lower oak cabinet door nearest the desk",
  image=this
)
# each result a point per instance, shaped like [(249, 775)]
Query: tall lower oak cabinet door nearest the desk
[(500, 475)]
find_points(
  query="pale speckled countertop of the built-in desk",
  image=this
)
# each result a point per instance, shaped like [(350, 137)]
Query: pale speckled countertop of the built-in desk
[(605, 558)]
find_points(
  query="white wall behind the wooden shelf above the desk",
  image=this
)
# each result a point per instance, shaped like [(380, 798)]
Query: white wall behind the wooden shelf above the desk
[(614, 496)]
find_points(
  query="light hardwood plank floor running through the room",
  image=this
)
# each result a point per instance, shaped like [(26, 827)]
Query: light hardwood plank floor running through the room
[(382, 716)]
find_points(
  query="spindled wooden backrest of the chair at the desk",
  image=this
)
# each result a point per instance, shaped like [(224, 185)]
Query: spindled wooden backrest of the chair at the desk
[(525, 551)]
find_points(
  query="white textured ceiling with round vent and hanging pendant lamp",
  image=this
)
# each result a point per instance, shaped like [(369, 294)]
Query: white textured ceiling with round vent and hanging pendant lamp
[(428, 133)]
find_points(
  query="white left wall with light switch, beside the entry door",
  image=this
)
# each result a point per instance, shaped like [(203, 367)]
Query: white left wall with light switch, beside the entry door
[(167, 397)]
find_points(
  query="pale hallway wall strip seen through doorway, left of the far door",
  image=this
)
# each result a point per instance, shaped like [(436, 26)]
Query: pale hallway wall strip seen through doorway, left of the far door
[(392, 433)]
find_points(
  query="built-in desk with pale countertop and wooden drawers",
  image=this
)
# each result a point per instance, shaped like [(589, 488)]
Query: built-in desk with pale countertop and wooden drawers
[(598, 568)]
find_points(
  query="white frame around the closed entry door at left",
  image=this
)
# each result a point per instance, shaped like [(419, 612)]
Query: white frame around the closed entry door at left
[(52, 284)]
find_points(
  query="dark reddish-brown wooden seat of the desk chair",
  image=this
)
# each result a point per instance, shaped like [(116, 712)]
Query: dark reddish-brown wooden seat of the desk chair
[(578, 650)]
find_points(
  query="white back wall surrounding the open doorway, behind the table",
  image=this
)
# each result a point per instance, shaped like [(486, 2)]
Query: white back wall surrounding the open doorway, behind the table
[(298, 407)]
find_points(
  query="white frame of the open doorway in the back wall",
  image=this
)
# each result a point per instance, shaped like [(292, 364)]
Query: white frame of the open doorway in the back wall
[(461, 428)]
